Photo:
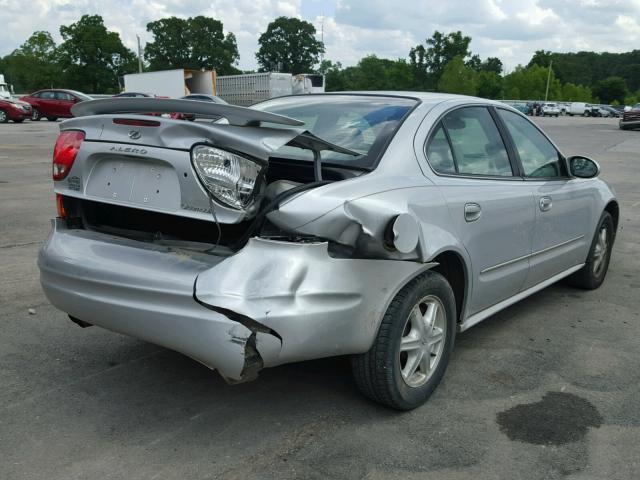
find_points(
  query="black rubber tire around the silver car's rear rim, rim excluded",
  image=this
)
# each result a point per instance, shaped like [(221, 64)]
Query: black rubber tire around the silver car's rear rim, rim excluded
[(377, 373)]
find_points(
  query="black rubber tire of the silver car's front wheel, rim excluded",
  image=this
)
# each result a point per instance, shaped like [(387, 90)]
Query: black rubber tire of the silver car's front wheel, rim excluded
[(589, 277)]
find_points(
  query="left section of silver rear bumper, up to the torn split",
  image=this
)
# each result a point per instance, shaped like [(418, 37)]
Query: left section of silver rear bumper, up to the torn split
[(146, 293)]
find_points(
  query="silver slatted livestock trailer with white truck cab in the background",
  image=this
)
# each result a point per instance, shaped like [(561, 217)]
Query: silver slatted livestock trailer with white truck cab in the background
[(251, 88)]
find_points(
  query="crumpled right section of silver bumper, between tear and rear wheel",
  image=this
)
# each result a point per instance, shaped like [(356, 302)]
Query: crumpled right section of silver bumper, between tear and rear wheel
[(317, 305)]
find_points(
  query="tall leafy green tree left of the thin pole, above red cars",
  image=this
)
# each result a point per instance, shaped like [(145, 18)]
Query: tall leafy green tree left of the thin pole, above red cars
[(92, 58)]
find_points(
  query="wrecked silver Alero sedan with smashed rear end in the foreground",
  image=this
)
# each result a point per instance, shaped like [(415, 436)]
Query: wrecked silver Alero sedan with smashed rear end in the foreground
[(309, 226)]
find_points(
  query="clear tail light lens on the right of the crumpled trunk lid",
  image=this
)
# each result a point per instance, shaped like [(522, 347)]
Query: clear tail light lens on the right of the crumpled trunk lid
[(228, 177)]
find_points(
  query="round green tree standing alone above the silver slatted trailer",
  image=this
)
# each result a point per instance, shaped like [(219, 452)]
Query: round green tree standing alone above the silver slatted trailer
[(289, 45)]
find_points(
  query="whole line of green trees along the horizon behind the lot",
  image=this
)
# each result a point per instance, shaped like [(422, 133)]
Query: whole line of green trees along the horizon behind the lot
[(91, 58)]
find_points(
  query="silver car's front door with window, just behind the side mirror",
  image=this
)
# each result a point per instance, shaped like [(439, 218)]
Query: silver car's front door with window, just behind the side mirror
[(563, 204)]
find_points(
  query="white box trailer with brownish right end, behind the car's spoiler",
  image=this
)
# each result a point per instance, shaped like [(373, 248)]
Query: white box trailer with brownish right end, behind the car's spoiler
[(172, 83)]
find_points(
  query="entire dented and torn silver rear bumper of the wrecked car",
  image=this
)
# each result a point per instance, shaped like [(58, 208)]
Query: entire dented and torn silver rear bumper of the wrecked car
[(271, 303)]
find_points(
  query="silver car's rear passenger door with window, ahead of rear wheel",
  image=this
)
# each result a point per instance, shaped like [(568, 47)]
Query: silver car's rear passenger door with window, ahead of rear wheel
[(492, 209)]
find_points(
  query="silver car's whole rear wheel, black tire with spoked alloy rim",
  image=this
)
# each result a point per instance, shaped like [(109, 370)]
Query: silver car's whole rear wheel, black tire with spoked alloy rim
[(414, 343)]
